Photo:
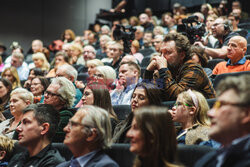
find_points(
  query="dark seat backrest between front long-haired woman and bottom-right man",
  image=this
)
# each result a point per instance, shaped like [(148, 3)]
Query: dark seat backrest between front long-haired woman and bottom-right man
[(188, 155)]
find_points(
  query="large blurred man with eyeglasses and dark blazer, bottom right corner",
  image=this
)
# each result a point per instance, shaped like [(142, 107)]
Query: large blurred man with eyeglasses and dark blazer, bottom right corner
[(230, 124)]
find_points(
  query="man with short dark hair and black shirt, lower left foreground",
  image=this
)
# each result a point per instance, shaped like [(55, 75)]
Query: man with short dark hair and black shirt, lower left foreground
[(37, 128)]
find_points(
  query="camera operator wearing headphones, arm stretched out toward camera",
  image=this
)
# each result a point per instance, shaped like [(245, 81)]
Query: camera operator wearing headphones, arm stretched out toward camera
[(222, 30)]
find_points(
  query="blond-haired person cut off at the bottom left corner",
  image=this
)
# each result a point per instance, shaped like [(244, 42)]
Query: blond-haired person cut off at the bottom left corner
[(6, 150)]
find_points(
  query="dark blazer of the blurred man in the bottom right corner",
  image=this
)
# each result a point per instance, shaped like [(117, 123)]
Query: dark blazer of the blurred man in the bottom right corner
[(237, 155)]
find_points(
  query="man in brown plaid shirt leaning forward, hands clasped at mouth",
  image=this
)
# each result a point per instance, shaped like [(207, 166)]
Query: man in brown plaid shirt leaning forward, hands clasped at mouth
[(177, 72)]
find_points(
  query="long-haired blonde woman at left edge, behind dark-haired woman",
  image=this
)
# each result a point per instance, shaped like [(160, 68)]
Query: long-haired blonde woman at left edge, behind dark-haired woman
[(11, 74)]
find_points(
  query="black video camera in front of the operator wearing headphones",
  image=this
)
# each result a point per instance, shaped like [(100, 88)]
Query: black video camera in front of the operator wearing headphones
[(194, 32)]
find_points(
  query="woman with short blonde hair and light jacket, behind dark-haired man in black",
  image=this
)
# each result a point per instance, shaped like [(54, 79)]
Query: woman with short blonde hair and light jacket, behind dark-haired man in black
[(20, 98)]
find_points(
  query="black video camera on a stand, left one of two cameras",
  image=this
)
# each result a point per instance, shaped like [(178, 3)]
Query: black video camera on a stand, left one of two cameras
[(125, 33)]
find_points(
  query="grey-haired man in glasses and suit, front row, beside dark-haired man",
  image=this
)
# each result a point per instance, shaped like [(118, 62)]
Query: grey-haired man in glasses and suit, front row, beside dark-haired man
[(87, 133)]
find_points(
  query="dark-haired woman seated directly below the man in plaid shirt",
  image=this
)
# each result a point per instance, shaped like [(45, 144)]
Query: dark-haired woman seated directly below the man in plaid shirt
[(144, 94)]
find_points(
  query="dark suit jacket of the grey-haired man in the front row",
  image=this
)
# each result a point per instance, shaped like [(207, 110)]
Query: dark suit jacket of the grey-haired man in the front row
[(100, 159)]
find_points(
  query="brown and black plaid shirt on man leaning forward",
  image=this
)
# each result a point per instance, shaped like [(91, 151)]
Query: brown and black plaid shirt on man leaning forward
[(189, 76)]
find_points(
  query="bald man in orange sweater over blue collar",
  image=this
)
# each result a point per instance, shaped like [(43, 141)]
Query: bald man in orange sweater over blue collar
[(236, 49)]
